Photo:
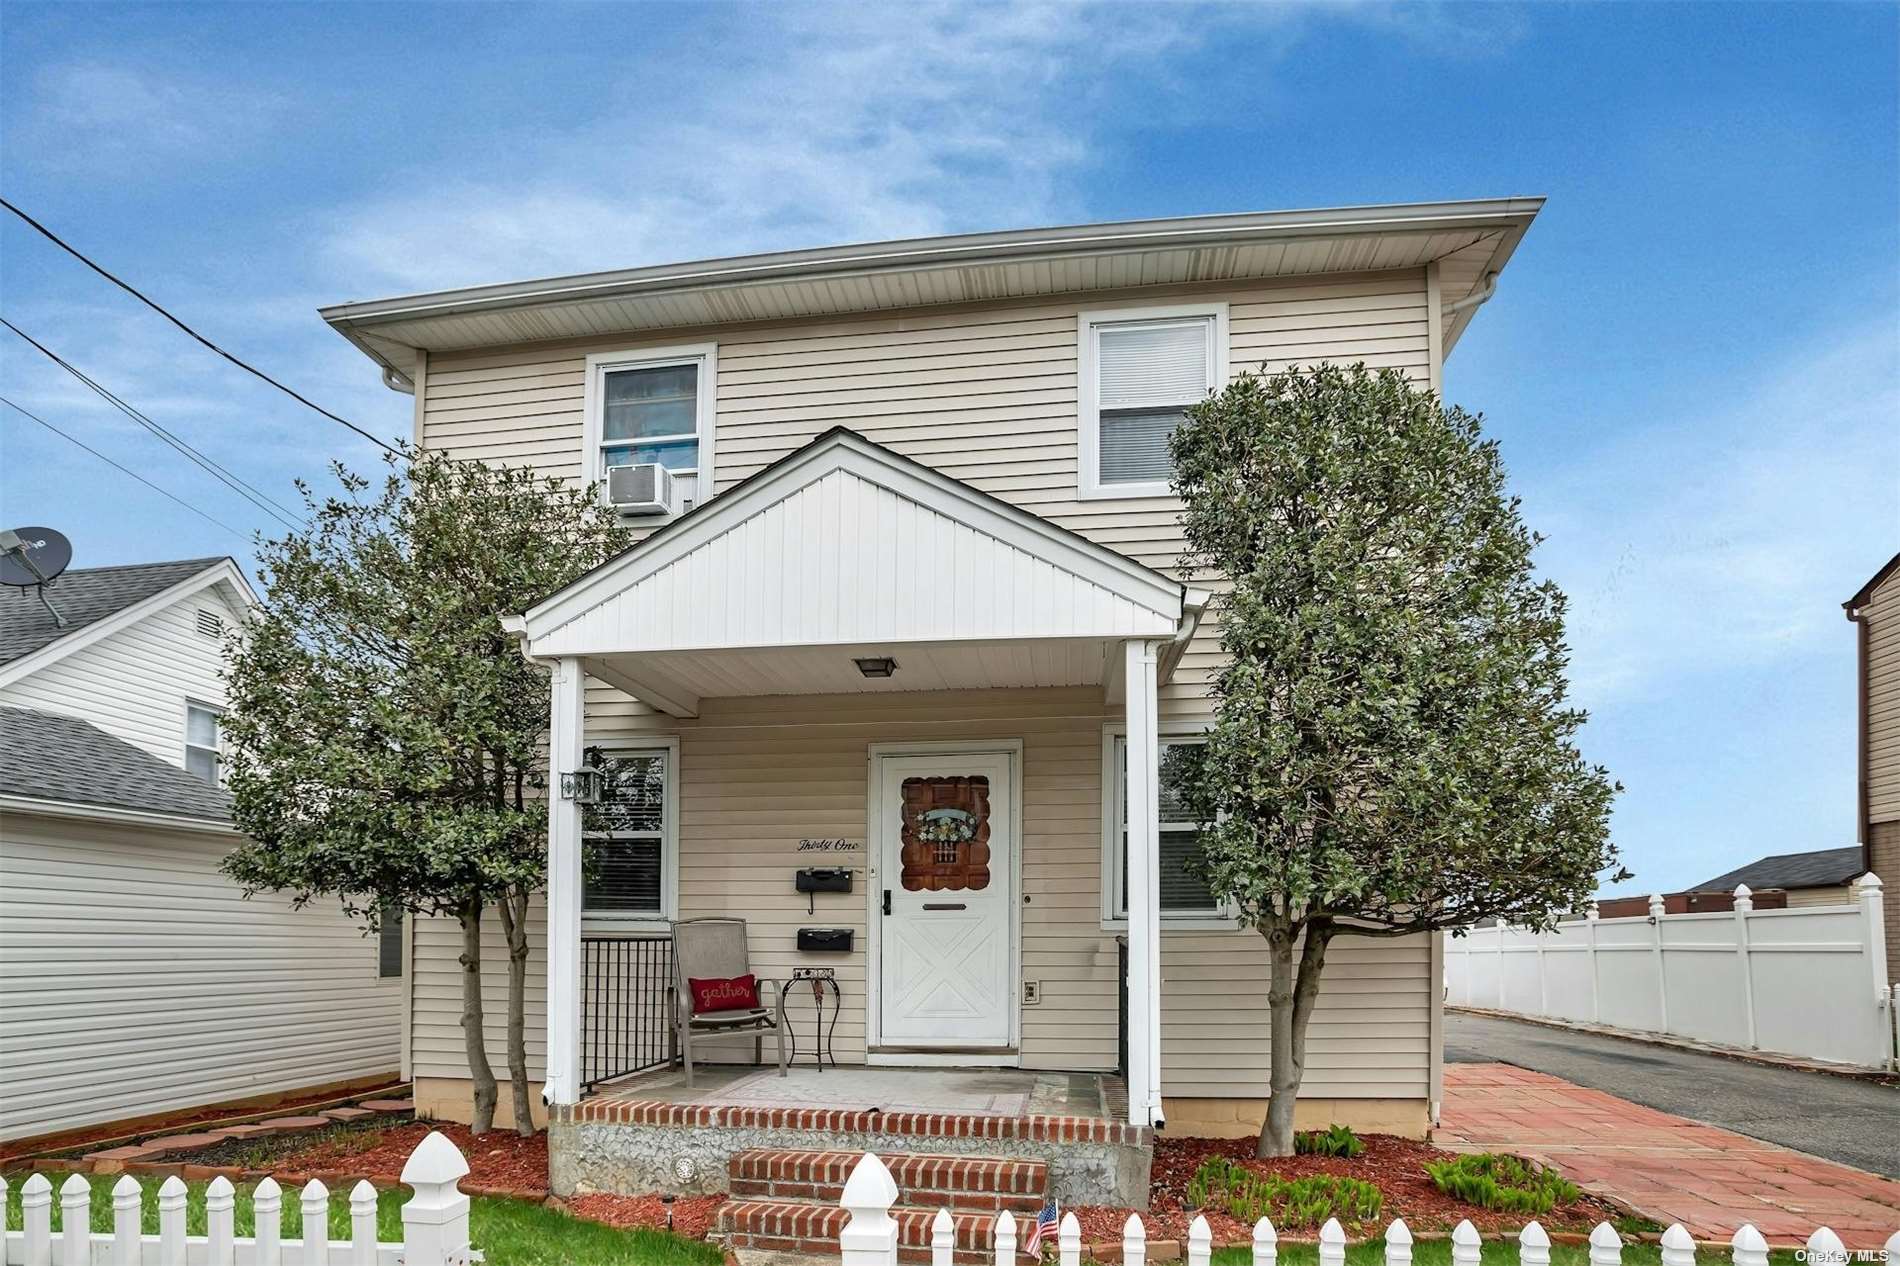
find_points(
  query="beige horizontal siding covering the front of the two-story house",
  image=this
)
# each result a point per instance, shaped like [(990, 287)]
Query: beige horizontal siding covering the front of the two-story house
[(985, 394)]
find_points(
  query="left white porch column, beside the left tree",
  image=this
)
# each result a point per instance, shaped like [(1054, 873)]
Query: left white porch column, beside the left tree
[(565, 887)]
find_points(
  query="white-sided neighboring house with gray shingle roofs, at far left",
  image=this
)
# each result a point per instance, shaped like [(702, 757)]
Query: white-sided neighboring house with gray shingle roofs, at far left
[(134, 978)]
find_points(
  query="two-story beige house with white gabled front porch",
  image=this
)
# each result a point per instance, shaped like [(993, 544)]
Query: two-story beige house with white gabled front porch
[(930, 567)]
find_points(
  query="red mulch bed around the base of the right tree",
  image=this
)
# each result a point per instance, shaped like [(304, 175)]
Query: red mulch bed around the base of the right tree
[(1396, 1166)]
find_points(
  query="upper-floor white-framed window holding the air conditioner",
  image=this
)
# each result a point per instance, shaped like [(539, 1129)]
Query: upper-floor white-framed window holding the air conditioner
[(653, 406)]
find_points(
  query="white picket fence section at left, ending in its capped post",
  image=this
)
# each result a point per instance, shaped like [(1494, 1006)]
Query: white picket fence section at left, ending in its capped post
[(436, 1223)]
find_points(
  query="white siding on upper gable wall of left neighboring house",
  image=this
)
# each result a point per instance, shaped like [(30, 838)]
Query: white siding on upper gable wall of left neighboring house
[(134, 683)]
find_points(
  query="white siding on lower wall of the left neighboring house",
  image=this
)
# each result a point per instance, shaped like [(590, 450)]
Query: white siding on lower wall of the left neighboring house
[(136, 980)]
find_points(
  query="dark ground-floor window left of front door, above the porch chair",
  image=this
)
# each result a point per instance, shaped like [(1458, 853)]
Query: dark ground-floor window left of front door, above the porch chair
[(630, 837)]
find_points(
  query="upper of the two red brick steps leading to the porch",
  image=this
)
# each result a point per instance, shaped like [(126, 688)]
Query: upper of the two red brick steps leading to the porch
[(959, 1183)]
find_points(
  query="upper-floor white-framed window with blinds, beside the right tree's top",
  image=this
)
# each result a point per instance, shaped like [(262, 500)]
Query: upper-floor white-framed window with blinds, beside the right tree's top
[(1141, 370)]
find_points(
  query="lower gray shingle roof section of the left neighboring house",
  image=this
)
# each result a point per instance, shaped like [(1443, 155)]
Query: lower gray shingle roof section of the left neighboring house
[(52, 758)]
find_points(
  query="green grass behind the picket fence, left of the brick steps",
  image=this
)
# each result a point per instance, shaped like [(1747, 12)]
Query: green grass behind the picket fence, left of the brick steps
[(510, 1233)]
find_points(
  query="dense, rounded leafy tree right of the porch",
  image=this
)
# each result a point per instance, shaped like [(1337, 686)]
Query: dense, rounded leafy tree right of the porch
[(1392, 748)]
